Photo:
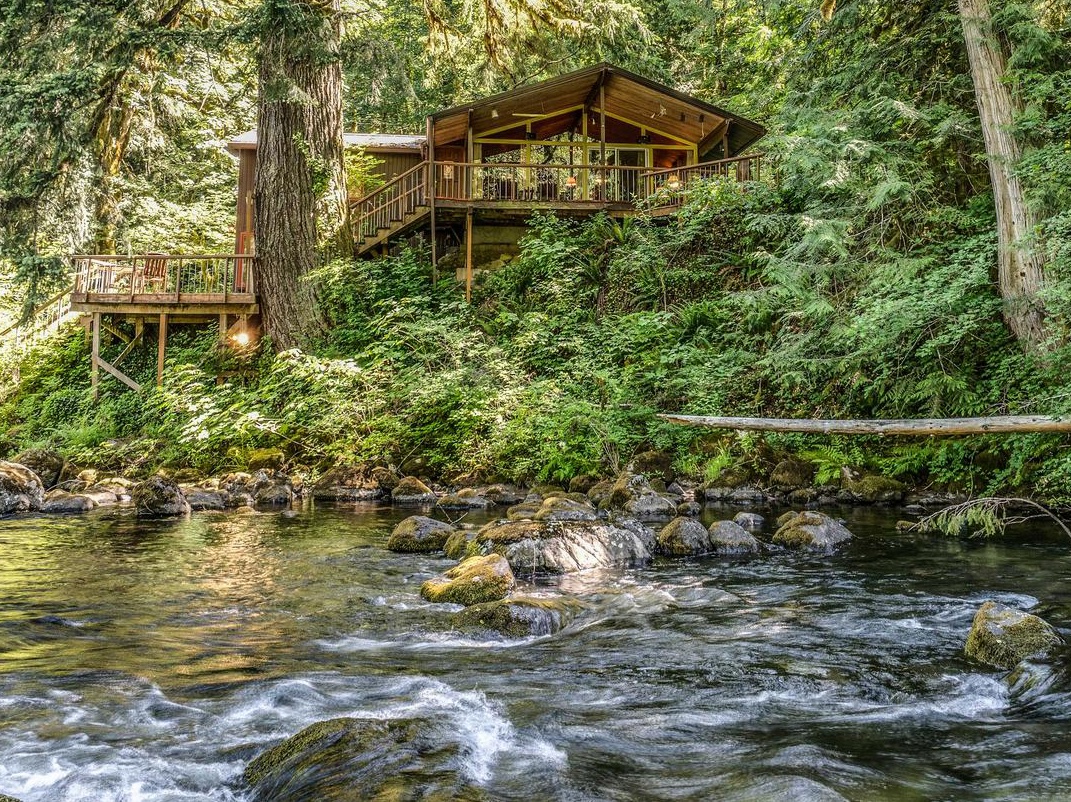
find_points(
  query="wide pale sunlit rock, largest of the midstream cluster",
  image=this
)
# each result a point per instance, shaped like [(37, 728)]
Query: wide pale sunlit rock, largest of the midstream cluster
[(563, 547)]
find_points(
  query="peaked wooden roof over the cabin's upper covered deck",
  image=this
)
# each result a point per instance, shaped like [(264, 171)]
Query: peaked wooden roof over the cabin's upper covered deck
[(628, 96)]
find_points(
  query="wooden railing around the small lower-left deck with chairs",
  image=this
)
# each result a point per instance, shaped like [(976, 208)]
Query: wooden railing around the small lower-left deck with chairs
[(163, 278)]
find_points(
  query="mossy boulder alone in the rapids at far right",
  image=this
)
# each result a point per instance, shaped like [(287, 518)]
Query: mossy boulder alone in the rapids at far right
[(1003, 637)]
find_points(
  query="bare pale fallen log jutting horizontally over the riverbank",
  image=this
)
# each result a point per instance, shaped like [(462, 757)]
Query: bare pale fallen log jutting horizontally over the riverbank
[(887, 427)]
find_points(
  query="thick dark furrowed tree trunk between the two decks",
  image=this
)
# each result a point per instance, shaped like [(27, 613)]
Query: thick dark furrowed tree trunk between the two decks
[(300, 206)]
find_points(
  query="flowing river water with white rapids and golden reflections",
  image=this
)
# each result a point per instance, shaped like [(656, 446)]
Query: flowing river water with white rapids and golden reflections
[(149, 662)]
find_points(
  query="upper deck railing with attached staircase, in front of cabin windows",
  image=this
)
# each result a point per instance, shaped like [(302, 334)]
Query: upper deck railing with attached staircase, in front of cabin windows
[(516, 190)]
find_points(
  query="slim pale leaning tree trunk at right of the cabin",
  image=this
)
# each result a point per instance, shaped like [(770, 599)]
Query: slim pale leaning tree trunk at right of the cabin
[(1020, 266)]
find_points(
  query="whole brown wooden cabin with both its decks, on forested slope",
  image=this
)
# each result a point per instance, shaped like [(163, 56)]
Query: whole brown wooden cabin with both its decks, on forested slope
[(597, 140)]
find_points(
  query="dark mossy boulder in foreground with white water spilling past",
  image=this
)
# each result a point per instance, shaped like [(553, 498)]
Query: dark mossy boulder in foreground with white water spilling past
[(345, 760)]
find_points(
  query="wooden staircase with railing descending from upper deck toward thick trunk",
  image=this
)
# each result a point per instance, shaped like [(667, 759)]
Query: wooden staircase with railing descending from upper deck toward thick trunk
[(395, 209)]
